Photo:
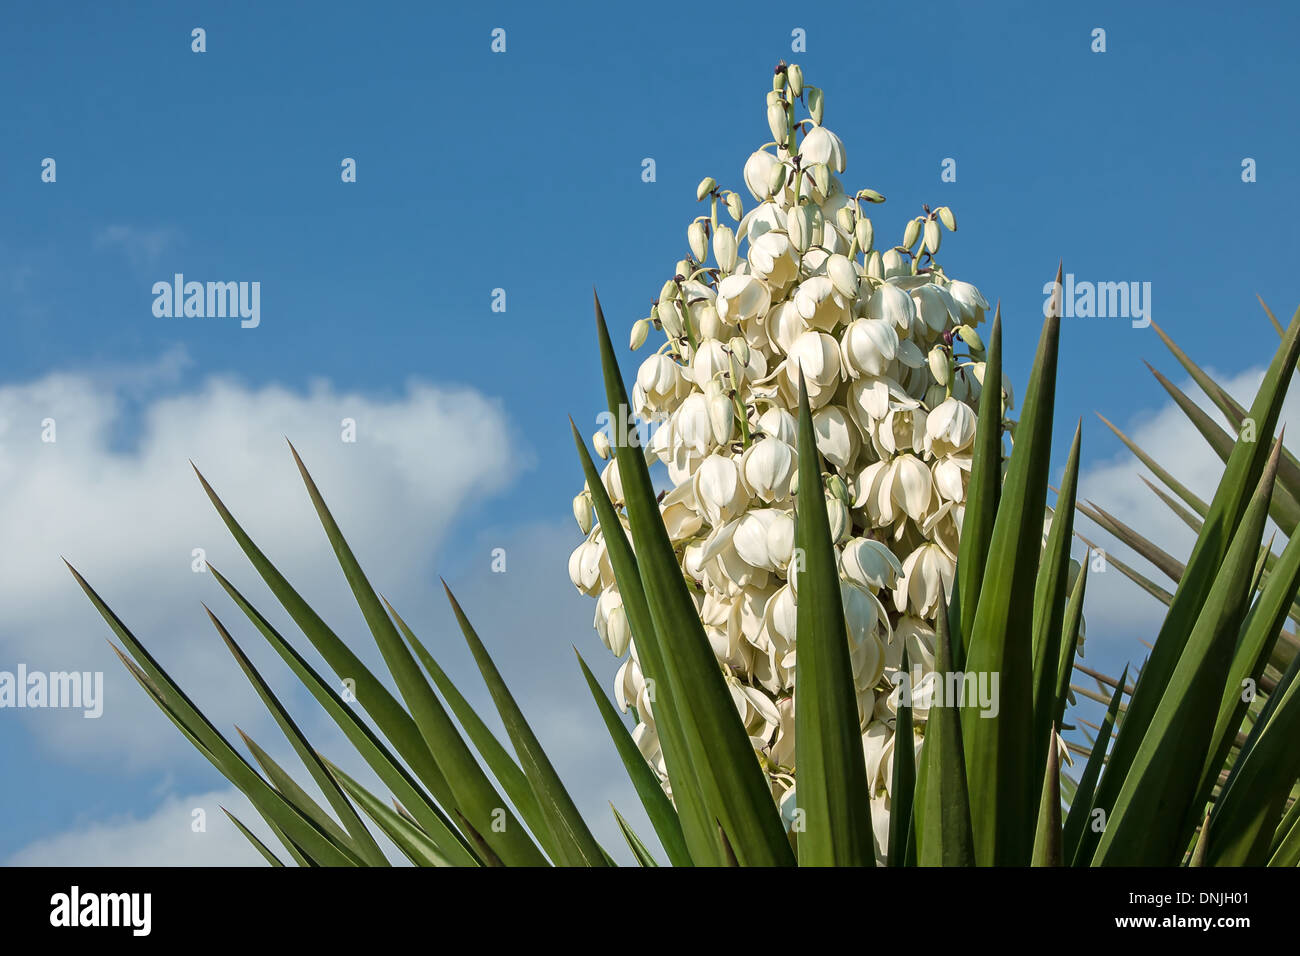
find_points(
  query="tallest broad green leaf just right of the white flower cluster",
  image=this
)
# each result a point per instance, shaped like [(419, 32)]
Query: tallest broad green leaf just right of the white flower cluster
[(1000, 756)]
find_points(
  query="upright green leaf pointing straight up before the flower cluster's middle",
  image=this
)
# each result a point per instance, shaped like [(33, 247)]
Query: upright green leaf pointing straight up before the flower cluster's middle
[(833, 780)]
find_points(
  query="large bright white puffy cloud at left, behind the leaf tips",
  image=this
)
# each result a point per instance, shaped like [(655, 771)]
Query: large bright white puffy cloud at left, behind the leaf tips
[(128, 516)]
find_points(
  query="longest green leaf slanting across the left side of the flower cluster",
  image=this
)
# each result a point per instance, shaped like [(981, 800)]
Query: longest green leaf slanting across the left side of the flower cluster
[(734, 786)]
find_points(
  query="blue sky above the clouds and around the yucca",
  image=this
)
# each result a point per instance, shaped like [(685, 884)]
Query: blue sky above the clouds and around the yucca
[(522, 171)]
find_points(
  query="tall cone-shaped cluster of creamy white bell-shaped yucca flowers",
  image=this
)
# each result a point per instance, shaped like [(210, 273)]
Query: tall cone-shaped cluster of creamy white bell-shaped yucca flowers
[(799, 284)]
